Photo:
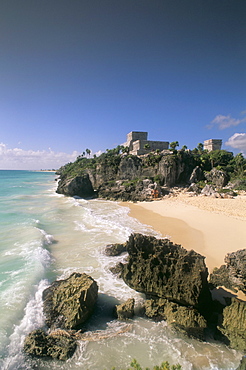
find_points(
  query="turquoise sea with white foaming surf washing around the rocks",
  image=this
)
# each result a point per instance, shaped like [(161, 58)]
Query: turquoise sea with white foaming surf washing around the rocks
[(46, 236)]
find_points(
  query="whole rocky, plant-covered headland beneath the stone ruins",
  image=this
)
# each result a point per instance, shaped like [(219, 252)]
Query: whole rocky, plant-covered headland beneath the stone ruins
[(118, 176)]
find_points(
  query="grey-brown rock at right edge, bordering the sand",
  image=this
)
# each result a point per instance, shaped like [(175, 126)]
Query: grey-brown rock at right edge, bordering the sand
[(233, 274)]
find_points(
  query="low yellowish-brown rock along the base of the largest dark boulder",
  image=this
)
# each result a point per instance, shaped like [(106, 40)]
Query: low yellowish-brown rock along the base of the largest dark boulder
[(184, 319)]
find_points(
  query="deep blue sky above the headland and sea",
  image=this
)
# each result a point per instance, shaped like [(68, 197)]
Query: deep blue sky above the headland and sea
[(77, 74)]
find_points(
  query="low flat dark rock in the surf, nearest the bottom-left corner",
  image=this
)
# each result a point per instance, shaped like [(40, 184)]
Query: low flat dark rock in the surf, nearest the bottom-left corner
[(40, 344)]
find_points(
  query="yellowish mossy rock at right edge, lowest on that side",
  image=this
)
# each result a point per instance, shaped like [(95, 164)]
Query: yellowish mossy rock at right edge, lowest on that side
[(233, 324)]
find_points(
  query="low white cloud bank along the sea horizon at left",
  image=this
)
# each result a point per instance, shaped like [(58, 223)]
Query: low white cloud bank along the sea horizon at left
[(18, 158)]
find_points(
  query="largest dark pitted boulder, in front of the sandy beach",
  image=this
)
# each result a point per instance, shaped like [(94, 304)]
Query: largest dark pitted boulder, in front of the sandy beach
[(159, 268)]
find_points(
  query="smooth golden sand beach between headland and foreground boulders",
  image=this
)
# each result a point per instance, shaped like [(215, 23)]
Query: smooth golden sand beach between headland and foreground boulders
[(210, 226)]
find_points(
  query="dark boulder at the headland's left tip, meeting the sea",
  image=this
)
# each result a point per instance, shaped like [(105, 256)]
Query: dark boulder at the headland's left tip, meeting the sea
[(79, 185)]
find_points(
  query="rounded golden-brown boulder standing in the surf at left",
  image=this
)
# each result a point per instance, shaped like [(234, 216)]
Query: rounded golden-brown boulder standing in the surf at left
[(69, 303)]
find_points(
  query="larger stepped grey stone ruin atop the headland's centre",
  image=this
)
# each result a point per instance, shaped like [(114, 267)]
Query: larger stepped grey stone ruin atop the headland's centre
[(137, 140)]
